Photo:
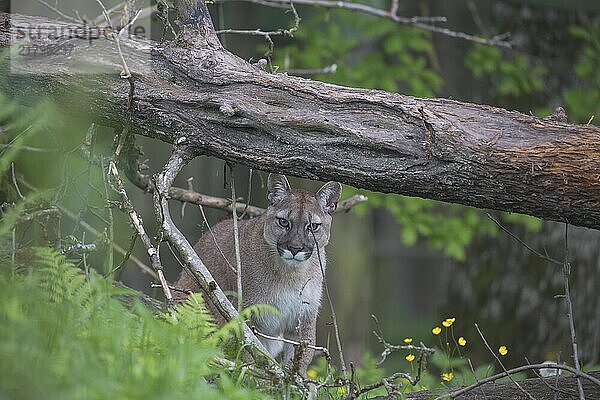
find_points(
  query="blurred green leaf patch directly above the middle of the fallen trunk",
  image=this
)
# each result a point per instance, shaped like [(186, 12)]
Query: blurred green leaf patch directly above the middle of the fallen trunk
[(371, 53)]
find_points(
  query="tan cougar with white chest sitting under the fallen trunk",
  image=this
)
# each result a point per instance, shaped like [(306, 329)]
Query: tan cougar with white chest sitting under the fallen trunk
[(280, 262)]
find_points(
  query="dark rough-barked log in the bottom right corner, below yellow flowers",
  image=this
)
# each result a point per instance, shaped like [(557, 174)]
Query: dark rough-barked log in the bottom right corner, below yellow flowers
[(539, 388)]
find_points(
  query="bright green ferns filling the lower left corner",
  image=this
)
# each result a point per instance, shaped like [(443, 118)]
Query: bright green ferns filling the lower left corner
[(64, 336)]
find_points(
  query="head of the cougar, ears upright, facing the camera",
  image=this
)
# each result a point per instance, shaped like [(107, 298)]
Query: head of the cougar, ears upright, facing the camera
[(296, 218)]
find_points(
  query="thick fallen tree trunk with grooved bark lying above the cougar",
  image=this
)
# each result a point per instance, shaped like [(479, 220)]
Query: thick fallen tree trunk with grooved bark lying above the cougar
[(214, 102)]
